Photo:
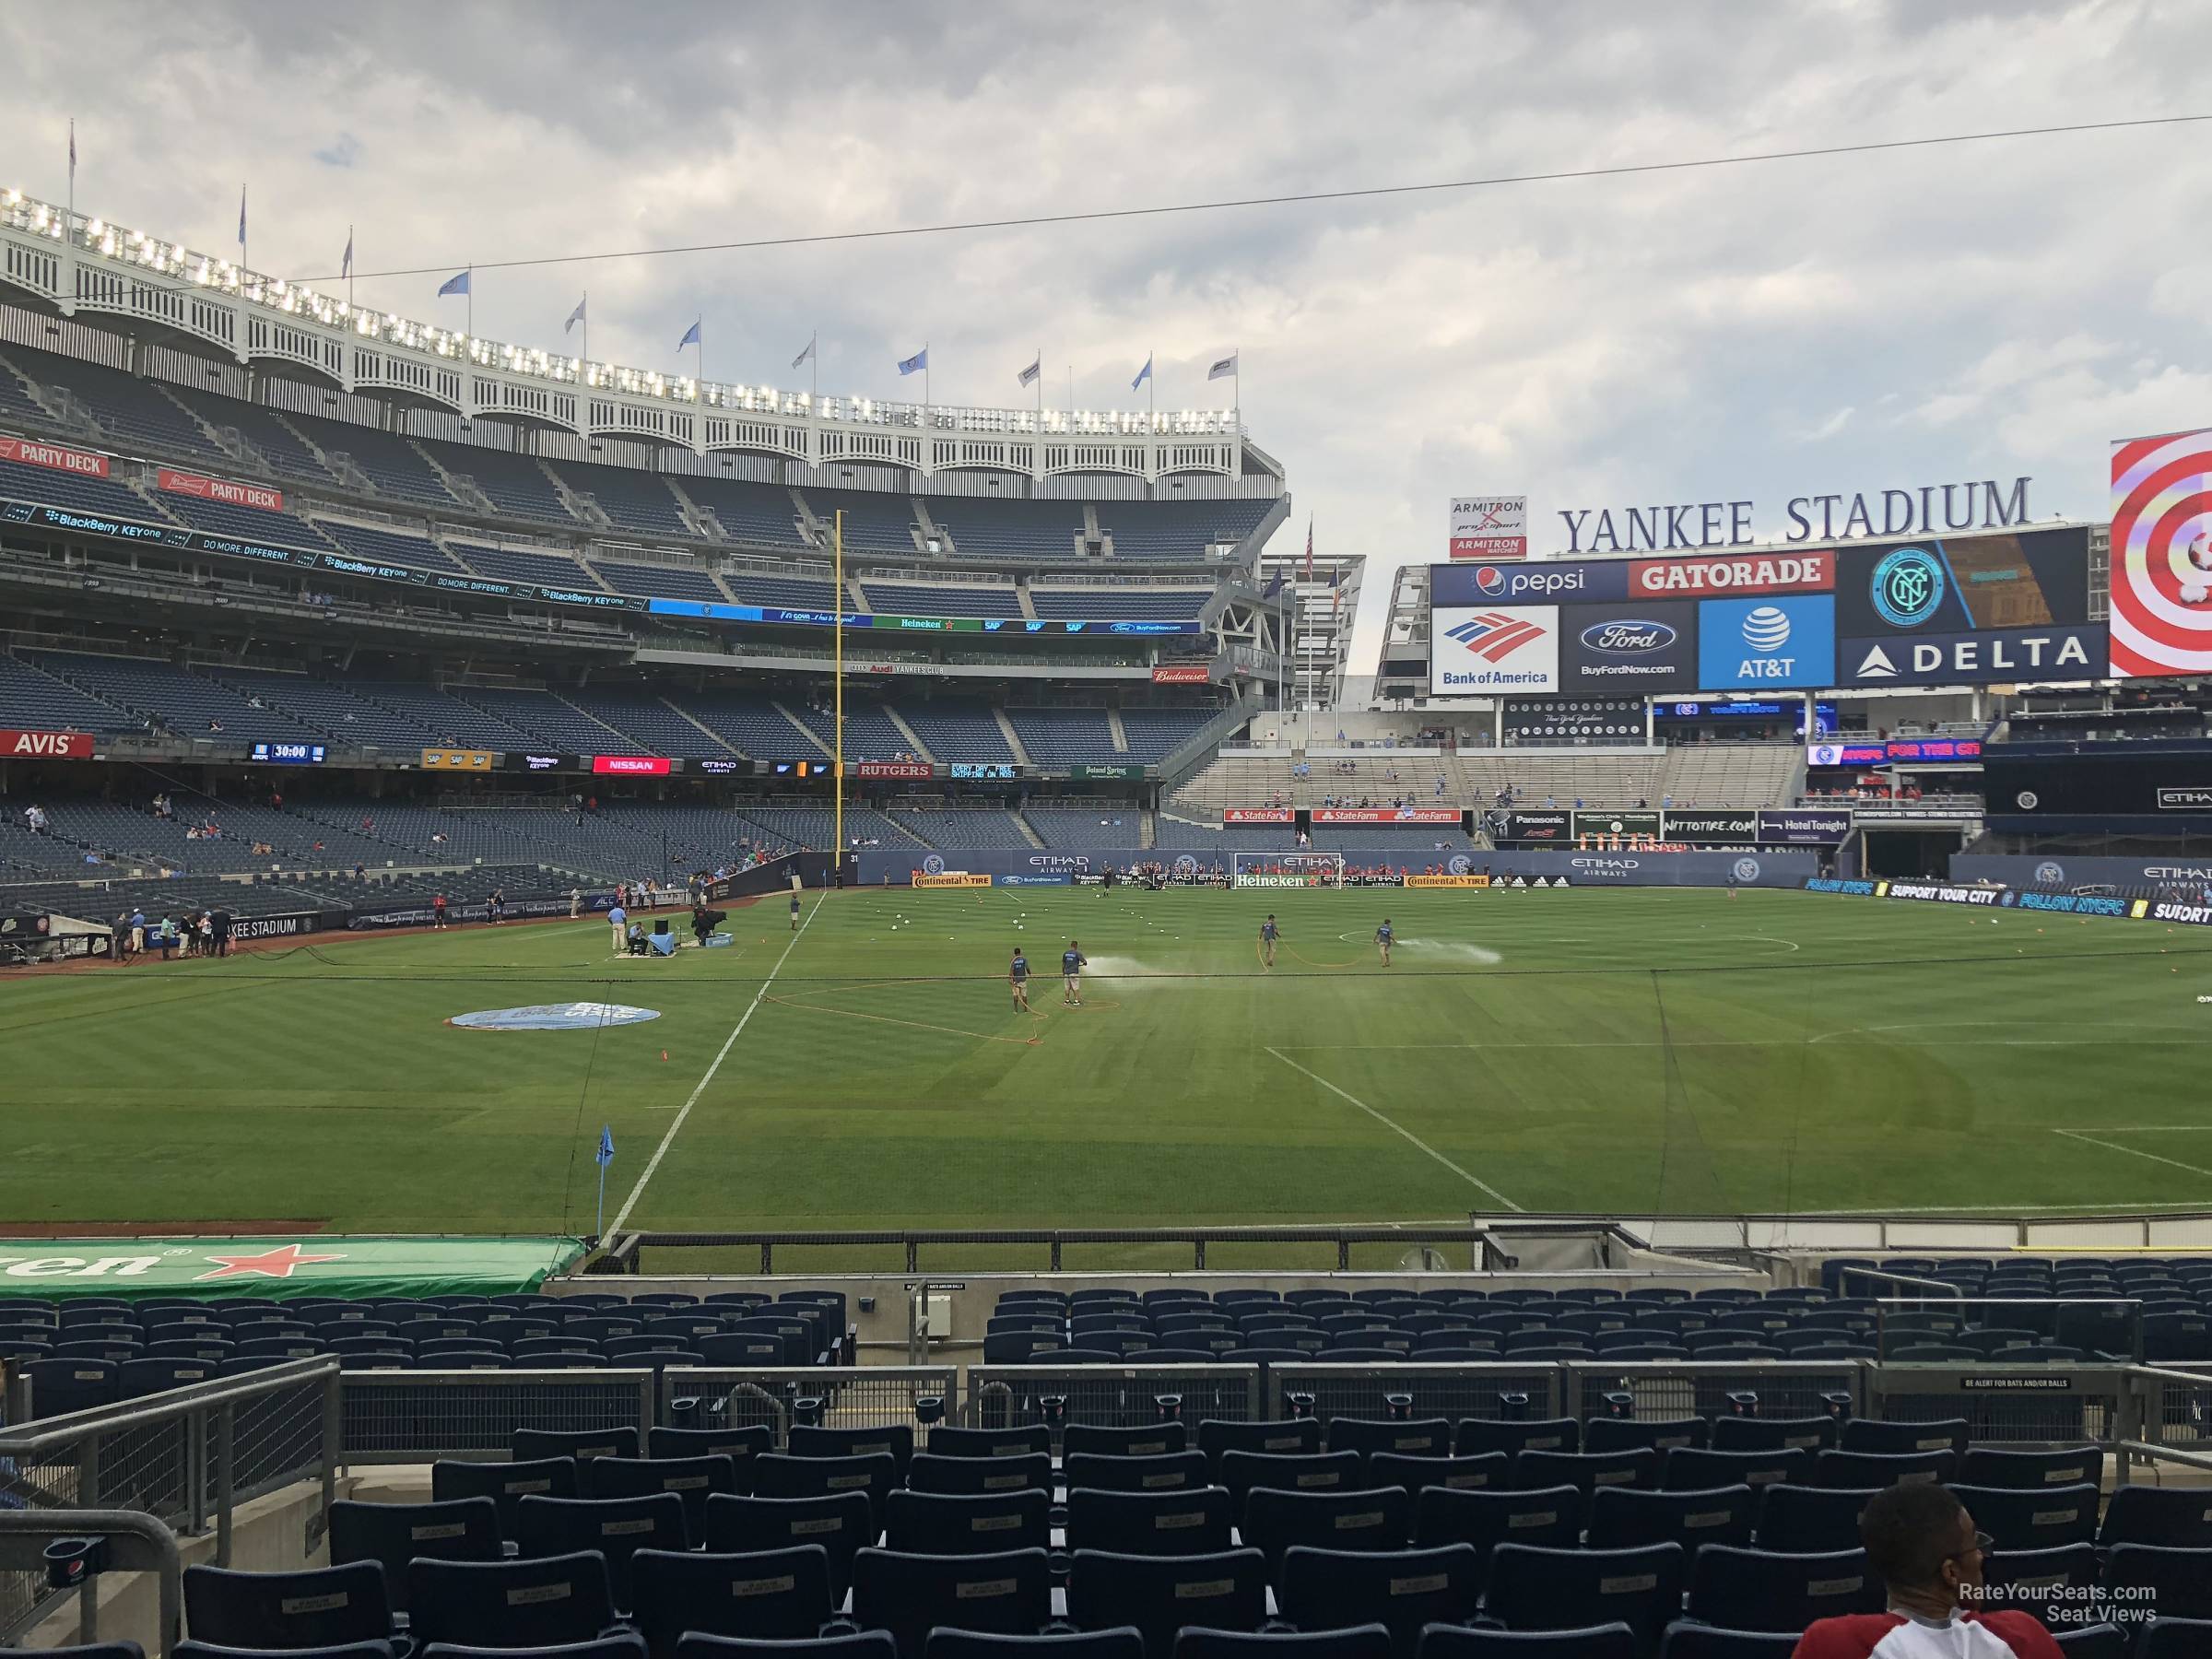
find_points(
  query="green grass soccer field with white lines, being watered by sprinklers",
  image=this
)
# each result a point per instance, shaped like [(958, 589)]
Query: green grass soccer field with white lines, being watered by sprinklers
[(1580, 1050)]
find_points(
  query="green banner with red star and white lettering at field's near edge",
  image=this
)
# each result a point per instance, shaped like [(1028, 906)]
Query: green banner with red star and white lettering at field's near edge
[(282, 1266)]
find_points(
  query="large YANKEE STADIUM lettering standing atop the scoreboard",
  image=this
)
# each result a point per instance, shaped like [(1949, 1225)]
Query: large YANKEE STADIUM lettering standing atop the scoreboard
[(1921, 510)]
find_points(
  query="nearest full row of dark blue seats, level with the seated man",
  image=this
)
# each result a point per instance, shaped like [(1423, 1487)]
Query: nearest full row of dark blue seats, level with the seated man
[(786, 1594)]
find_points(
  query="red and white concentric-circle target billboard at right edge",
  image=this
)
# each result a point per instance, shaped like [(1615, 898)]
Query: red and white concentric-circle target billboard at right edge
[(2162, 556)]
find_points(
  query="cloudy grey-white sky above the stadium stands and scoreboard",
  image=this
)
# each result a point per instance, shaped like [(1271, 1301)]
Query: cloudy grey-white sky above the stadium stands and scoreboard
[(1733, 333)]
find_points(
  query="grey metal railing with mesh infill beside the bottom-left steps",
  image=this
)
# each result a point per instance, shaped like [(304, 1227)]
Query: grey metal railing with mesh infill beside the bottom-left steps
[(187, 1459)]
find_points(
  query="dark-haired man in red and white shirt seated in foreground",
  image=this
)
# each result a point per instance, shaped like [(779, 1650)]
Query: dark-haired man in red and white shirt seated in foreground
[(1923, 1545)]
